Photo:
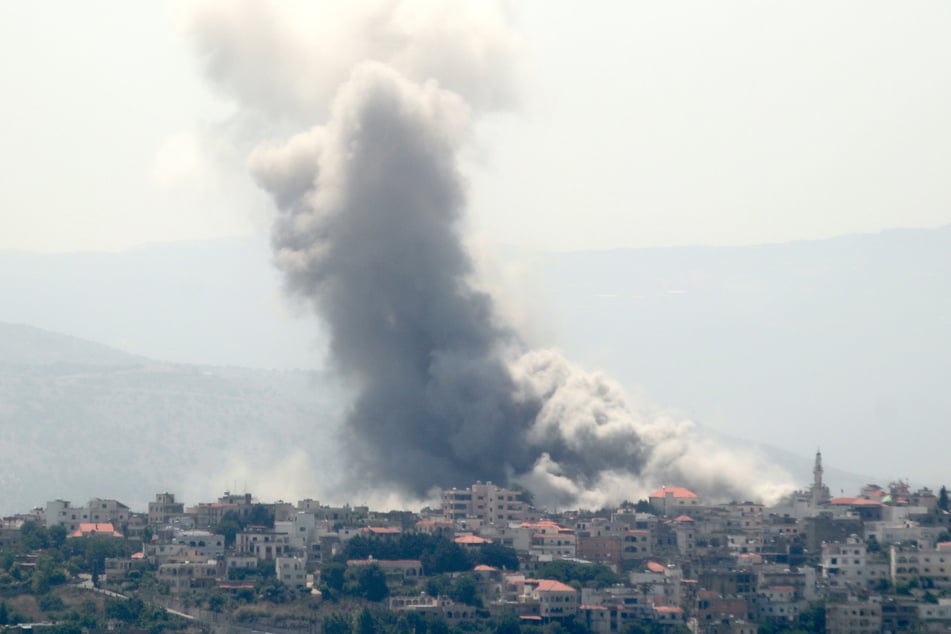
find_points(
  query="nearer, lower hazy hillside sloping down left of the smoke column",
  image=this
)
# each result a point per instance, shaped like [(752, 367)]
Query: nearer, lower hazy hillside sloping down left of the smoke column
[(82, 420)]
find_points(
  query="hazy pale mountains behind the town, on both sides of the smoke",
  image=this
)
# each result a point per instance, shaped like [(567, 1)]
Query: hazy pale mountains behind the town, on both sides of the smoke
[(837, 344)]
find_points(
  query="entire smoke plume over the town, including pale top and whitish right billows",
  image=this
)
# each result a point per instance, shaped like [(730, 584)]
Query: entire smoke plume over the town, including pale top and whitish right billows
[(369, 232)]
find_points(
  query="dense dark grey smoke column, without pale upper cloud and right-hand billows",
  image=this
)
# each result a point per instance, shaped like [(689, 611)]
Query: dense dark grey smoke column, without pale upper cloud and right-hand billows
[(373, 242)]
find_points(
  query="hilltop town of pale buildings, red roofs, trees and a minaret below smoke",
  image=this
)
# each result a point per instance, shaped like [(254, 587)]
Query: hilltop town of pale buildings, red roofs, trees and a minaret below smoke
[(487, 560)]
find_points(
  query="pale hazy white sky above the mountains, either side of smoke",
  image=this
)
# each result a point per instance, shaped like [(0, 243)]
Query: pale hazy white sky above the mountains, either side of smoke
[(638, 124)]
